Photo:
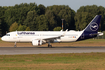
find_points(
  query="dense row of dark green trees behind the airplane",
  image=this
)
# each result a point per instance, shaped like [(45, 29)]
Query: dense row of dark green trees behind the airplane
[(33, 17)]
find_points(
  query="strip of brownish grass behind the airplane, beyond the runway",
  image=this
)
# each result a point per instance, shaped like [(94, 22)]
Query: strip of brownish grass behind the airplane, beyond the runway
[(89, 42)]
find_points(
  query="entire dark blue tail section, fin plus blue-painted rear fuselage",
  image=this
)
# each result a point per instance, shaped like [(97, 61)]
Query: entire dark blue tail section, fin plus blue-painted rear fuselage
[(92, 29)]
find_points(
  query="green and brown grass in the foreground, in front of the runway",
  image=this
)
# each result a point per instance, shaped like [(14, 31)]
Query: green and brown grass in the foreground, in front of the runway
[(70, 61)]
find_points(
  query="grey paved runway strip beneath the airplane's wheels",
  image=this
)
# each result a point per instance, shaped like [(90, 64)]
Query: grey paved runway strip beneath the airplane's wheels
[(45, 50)]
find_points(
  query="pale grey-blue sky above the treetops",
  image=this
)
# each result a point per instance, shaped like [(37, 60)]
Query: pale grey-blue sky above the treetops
[(74, 4)]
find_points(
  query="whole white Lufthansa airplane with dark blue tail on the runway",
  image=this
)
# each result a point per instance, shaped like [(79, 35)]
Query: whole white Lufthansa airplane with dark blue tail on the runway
[(38, 38)]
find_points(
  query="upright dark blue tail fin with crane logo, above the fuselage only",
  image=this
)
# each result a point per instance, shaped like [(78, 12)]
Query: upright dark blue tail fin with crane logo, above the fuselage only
[(94, 24)]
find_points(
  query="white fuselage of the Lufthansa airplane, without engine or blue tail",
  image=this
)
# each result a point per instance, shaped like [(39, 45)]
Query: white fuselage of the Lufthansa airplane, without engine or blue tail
[(28, 36)]
